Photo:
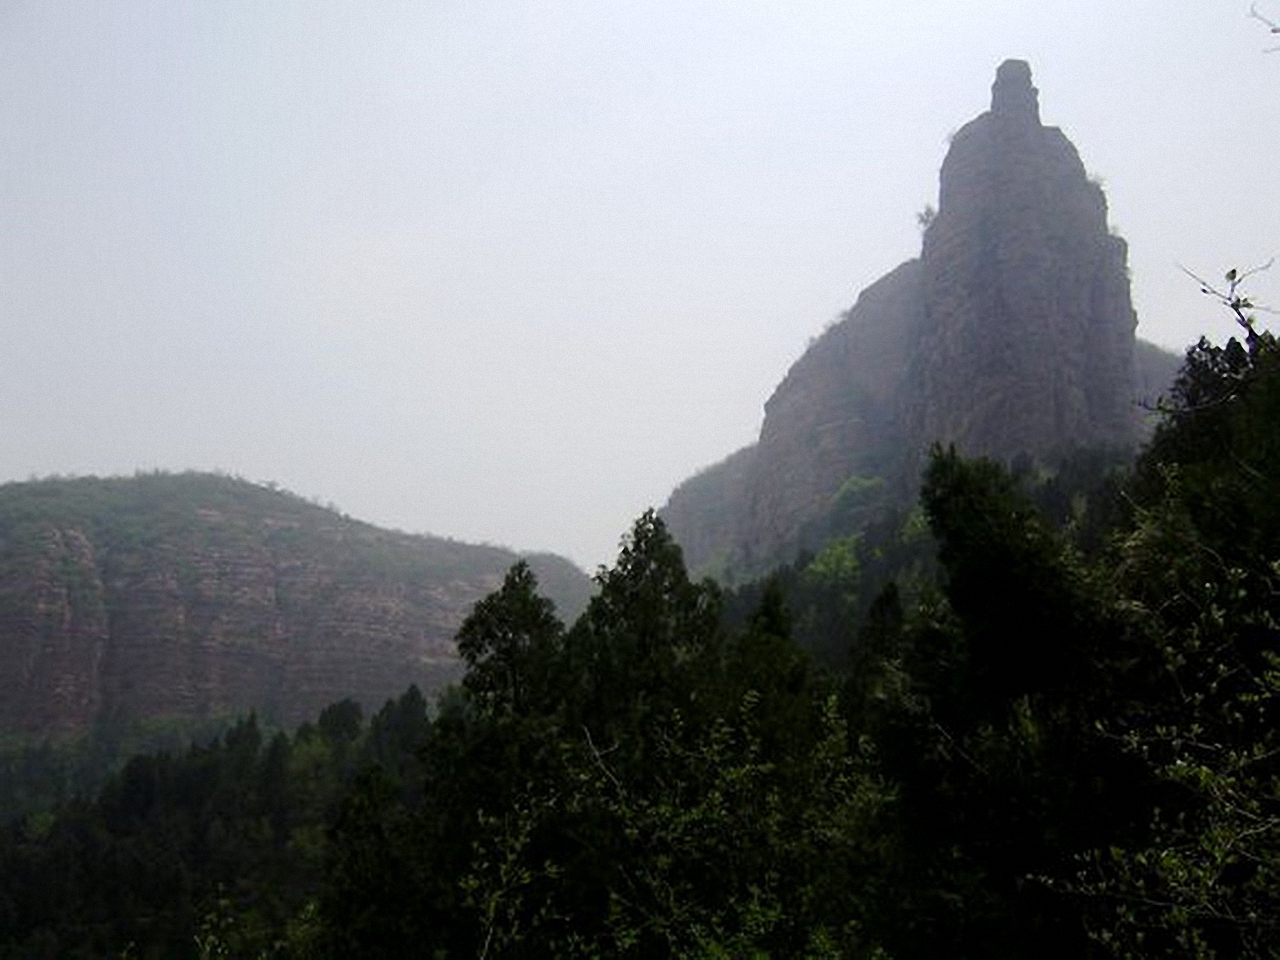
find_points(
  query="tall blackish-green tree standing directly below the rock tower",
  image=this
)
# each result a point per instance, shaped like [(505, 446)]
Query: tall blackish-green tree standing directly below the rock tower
[(981, 698)]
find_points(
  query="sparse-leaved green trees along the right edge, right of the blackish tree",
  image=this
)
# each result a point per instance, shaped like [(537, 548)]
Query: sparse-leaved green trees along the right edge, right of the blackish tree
[(1201, 570)]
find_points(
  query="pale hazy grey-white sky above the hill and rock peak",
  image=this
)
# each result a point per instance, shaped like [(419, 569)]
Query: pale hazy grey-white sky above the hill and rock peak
[(510, 272)]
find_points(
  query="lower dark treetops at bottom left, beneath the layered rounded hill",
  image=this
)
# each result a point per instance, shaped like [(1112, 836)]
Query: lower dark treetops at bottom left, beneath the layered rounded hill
[(217, 852)]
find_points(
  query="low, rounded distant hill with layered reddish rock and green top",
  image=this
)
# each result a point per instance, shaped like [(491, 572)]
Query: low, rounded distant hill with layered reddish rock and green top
[(199, 596)]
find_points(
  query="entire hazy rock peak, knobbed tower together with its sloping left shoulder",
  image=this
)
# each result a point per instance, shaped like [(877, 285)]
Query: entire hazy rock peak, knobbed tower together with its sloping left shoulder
[(1012, 333)]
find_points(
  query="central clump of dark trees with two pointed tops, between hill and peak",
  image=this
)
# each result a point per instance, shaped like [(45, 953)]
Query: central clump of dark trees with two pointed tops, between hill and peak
[(641, 785)]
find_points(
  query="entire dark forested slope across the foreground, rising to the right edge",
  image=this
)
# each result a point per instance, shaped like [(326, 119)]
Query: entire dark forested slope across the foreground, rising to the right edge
[(1050, 734)]
